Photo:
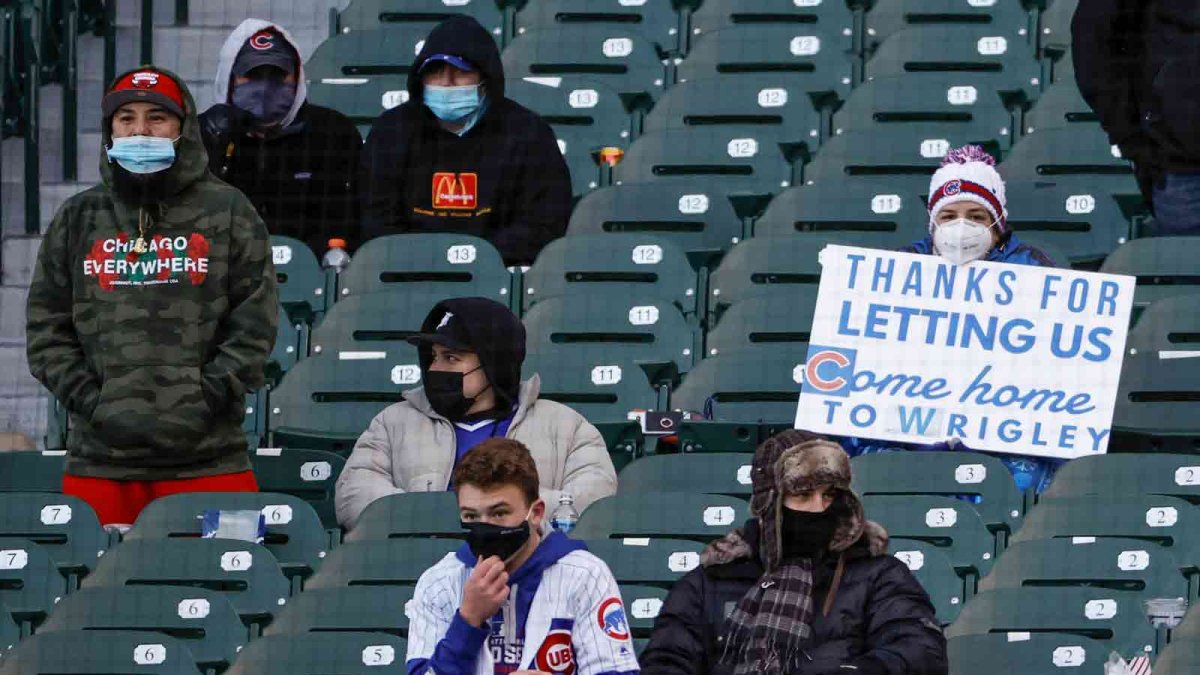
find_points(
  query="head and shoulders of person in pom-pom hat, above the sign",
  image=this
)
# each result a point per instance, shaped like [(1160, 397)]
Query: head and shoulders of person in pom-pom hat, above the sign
[(969, 216)]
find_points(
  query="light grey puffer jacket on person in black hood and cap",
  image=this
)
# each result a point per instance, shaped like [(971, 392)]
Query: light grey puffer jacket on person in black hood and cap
[(411, 449)]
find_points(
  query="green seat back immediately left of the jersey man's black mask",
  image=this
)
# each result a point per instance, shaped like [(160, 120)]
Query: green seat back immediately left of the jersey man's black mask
[(385, 563)]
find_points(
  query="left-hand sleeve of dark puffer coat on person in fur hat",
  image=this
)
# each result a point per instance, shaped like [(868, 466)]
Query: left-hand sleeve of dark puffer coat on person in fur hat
[(680, 642)]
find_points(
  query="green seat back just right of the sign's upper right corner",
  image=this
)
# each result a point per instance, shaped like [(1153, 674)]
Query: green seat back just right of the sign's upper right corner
[(1165, 266)]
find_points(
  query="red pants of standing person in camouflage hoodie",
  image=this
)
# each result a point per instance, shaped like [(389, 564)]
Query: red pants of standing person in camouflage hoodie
[(119, 503)]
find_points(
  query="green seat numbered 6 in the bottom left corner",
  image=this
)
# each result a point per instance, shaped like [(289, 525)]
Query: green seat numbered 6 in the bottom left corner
[(100, 653)]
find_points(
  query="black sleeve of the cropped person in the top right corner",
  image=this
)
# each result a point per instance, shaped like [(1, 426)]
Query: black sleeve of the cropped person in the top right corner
[(1108, 47)]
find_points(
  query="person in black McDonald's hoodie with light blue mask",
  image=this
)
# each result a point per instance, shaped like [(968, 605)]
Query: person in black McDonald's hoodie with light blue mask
[(461, 158)]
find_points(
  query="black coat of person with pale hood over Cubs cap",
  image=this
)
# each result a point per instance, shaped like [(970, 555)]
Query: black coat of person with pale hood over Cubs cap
[(303, 184)]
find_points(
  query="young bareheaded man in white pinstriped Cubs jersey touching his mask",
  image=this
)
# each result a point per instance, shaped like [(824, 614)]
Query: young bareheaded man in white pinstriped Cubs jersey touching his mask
[(512, 600)]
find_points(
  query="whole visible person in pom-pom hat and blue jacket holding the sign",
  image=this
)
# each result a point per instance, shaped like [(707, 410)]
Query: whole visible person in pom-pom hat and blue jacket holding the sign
[(969, 222)]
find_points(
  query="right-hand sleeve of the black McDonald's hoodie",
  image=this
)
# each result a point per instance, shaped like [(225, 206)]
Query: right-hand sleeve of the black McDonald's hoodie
[(543, 201)]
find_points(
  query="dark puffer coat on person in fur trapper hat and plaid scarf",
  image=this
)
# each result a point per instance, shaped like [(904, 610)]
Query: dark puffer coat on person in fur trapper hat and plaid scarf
[(881, 622)]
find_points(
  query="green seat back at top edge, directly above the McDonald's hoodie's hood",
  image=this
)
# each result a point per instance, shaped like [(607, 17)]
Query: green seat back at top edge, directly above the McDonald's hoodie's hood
[(370, 15)]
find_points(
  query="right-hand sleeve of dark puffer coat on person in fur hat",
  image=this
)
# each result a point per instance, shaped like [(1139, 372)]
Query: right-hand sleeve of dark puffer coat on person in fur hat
[(903, 635)]
